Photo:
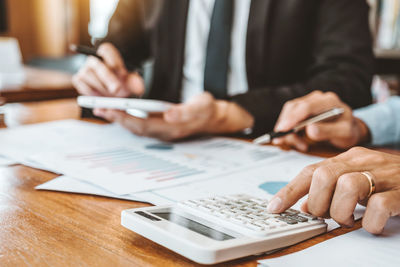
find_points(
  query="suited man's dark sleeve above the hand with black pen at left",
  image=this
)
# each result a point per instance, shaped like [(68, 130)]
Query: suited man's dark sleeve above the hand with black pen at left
[(128, 33)]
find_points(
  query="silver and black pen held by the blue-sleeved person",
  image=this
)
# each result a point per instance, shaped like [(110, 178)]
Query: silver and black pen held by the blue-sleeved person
[(330, 114)]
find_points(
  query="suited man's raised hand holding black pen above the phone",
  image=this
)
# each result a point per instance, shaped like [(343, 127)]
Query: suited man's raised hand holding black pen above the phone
[(109, 78)]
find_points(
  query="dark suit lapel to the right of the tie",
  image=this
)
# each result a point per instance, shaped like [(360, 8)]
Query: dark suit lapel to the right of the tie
[(256, 39)]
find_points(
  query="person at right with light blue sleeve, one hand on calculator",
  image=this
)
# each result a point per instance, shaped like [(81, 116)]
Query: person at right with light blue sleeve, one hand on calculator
[(360, 175)]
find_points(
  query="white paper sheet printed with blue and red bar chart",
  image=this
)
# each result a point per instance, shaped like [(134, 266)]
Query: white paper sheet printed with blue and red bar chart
[(124, 170)]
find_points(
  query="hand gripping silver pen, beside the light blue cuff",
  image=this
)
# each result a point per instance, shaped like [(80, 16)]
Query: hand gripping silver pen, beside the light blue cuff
[(344, 132)]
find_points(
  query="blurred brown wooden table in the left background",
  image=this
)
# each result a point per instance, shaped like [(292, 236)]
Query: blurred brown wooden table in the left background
[(40, 85)]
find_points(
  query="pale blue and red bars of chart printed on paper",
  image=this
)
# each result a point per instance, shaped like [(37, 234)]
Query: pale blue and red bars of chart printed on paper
[(130, 162)]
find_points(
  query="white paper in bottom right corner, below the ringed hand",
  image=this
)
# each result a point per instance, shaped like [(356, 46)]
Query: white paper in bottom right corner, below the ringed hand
[(358, 248)]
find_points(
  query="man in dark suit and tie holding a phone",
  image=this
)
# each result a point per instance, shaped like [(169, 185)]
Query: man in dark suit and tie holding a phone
[(232, 64)]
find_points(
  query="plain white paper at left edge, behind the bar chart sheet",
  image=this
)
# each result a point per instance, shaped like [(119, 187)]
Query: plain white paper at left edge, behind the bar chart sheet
[(20, 143)]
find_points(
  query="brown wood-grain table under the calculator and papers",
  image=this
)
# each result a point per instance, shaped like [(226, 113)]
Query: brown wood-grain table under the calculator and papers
[(40, 228)]
